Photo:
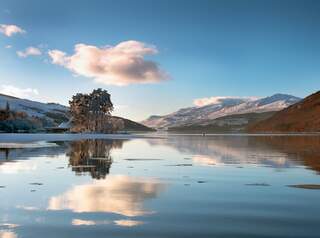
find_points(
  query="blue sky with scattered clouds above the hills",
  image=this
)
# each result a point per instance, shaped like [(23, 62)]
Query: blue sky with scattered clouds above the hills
[(155, 57)]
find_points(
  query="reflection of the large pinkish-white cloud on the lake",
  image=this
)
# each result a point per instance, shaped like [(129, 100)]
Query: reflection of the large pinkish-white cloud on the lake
[(117, 194)]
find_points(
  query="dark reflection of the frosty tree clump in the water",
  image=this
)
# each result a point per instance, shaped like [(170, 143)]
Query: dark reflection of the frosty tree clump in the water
[(92, 156)]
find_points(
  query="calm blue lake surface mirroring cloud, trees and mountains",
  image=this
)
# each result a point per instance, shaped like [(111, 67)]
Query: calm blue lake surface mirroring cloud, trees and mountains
[(177, 186)]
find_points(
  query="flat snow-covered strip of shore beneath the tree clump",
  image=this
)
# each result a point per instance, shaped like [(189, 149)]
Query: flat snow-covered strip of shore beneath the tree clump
[(14, 137)]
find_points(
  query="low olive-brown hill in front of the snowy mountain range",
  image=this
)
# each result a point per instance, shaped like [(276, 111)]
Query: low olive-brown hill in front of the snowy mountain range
[(237, 123)]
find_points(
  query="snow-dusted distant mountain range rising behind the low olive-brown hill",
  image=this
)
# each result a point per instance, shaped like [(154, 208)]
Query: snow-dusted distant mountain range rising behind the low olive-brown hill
[(222, 107)]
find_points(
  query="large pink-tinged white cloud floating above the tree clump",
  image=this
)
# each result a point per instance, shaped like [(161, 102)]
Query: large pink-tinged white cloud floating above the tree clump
[(122, 64)]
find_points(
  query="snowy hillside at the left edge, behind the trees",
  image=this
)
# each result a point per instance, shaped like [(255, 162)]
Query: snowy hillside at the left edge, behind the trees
[(51, 112)]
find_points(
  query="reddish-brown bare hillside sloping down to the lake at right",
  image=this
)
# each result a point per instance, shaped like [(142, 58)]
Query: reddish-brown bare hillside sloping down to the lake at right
[(303, 116)]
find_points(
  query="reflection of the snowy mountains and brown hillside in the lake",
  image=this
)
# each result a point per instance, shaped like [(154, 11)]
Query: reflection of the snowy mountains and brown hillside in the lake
[(274, 151)]
